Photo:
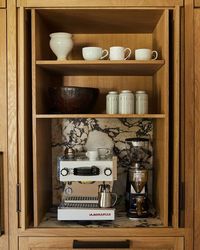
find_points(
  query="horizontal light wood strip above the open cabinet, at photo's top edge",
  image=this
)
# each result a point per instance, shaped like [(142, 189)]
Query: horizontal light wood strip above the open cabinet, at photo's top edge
[(103, 3)]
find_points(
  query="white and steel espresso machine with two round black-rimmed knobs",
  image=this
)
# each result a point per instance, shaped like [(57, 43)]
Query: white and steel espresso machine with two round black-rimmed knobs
[(88, 188)]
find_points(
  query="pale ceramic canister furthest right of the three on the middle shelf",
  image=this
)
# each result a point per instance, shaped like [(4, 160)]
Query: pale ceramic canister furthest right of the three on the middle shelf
[(141, 102)]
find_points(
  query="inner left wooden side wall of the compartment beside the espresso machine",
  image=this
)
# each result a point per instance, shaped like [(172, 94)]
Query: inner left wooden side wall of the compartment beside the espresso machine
[(42, 170)]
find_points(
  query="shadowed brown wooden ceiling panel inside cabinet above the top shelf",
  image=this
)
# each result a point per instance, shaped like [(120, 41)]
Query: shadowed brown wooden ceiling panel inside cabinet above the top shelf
[(97, 20)]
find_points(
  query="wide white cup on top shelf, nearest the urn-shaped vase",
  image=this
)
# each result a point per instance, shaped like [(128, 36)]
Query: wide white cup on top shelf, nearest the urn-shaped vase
[(94, 53)]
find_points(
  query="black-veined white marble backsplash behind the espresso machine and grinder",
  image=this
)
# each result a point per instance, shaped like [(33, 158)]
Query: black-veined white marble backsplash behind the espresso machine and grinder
[(91, 133)]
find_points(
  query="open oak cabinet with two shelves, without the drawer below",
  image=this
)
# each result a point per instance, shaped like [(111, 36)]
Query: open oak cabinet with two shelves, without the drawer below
[(150, 28)]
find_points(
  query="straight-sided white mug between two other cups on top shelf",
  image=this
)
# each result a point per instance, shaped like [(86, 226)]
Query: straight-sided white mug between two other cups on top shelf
[(119, 53)]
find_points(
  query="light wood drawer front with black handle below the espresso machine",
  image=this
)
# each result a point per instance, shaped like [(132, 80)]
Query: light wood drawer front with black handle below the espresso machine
[(136, 243)]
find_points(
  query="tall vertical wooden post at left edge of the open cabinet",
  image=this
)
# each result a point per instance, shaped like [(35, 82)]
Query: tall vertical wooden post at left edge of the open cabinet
[(24, 117)]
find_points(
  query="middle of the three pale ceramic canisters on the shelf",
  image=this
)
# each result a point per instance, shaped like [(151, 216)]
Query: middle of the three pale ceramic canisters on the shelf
[(126, 102)]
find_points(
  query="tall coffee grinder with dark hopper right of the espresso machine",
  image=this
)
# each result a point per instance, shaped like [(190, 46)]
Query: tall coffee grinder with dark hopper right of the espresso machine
[(137, 177)]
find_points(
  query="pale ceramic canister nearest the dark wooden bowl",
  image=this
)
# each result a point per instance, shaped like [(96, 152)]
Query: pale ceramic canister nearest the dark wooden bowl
[(112, 102)]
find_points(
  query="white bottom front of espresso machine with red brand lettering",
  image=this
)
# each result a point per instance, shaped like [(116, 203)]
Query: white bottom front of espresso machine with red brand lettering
[(84, 214)]
